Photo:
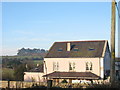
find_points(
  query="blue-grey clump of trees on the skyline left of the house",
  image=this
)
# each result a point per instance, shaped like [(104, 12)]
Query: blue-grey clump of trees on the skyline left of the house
[(32, 52)]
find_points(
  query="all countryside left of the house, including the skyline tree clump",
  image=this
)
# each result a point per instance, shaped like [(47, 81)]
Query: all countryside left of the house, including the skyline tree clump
[(13, 67)]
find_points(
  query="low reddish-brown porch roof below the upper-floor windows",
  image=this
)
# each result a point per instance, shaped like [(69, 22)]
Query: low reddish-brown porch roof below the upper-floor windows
[(78, 75)]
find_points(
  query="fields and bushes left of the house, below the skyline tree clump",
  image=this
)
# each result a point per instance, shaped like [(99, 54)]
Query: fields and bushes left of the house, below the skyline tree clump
[(13, 67)]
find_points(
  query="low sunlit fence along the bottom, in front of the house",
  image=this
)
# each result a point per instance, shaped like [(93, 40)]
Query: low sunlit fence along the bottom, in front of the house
[(23, 84)]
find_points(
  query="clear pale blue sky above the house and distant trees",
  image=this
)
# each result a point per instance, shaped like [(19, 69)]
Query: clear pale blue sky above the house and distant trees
[(40, 24)]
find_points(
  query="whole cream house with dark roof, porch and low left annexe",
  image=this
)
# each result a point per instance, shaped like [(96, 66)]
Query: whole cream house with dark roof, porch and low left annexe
[(75, 60)]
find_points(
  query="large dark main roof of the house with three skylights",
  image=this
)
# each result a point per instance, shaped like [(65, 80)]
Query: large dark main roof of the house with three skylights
[(77, 49)]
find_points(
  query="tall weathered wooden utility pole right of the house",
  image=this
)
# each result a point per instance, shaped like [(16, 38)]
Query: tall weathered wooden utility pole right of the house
[(112, 66)]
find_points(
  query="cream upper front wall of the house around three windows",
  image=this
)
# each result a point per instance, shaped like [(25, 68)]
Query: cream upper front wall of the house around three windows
[(80, 64)]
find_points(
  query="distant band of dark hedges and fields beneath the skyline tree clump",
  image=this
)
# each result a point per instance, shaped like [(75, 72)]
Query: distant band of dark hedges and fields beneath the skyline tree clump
[(12, 61)]
